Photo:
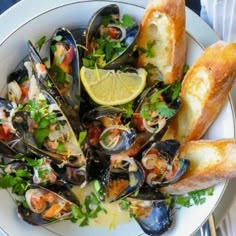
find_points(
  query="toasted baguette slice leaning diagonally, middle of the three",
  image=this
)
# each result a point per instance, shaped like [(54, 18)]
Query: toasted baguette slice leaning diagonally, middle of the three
[(204, 91)]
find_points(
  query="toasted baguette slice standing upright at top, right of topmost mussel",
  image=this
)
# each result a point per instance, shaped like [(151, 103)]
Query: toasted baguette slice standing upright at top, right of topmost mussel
[(163, 25)]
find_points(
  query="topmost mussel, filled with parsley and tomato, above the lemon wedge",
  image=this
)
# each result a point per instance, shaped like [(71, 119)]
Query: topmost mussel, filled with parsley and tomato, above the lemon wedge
[(108, 34)]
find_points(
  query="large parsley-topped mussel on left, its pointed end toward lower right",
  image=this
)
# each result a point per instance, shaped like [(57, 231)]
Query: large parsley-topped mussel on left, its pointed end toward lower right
[(50, 136)]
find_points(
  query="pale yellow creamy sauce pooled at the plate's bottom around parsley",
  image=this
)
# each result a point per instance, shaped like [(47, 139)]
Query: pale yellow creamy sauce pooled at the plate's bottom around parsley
[(114, 215)]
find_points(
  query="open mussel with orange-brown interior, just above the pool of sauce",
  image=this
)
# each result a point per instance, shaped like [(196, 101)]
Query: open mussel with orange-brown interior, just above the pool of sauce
[(124, 176)]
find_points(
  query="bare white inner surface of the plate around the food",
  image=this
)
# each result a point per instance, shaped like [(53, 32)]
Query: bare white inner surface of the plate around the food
[(74, 16)]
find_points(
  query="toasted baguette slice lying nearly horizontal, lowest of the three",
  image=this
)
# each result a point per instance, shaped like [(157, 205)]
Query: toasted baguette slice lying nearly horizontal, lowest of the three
[(210, 163)]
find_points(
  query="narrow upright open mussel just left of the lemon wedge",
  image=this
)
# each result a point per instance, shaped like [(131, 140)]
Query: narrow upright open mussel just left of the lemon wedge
[(65, 66)]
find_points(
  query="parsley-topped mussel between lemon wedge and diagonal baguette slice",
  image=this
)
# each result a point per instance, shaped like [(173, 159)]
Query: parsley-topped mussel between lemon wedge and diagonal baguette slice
[(153, 110)]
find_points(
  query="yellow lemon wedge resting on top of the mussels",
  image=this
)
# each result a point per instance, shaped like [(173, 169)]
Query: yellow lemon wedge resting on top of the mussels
[(110, 87)]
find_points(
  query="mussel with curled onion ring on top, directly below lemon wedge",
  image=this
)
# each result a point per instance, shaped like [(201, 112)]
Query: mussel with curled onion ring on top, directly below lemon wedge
[(106, 131)]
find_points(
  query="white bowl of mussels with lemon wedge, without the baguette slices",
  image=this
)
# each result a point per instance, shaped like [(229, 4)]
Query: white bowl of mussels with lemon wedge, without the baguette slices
[(77, 156)]
